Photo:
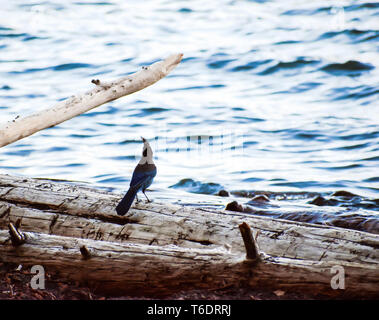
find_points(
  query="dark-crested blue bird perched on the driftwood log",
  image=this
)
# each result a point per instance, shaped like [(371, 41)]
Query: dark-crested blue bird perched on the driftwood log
[(142, 178)]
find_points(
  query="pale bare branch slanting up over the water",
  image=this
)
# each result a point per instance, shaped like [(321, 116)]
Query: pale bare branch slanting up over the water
[(76, 105)]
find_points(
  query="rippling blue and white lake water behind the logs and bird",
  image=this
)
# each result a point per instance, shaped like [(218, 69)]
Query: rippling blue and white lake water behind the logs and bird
[(272, 96)]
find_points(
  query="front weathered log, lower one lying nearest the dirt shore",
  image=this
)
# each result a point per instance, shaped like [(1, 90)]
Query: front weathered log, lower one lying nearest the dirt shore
[(162, 270)]
